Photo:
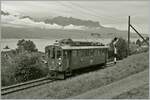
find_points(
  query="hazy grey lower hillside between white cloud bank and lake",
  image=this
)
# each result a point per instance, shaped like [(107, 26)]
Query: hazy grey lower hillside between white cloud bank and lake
[(13, 32)]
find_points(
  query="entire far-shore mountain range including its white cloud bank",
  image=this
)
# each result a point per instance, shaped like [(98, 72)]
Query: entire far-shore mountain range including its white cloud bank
[(19, 26)]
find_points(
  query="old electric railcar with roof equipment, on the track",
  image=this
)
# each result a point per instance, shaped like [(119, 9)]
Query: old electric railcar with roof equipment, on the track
[(64, 58)]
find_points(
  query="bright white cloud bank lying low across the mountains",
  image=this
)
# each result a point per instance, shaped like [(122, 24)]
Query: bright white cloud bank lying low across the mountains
[(18, 21)]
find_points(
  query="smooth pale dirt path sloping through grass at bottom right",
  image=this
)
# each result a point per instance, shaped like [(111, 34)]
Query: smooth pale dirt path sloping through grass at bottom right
[(117, 88)]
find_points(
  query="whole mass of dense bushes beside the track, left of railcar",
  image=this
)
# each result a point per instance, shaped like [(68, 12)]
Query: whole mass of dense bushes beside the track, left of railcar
[(21, 67)]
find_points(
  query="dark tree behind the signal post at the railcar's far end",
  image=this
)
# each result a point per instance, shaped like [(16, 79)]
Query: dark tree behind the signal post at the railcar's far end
[(121, 46)]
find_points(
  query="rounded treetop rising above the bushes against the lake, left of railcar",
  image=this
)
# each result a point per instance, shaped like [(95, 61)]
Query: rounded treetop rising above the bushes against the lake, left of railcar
[(26, 45)]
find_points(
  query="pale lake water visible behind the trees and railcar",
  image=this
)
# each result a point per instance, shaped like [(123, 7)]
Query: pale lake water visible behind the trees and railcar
[(41, 43)]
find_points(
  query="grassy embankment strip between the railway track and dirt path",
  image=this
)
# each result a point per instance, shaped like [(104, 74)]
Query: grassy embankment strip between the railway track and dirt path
[(77, 85)]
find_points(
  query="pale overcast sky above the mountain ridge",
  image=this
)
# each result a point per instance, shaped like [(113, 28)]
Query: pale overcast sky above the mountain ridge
[(108, 13)]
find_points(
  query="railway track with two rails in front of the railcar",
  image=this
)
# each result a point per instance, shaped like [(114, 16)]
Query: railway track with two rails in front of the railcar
[(25, 85)]
